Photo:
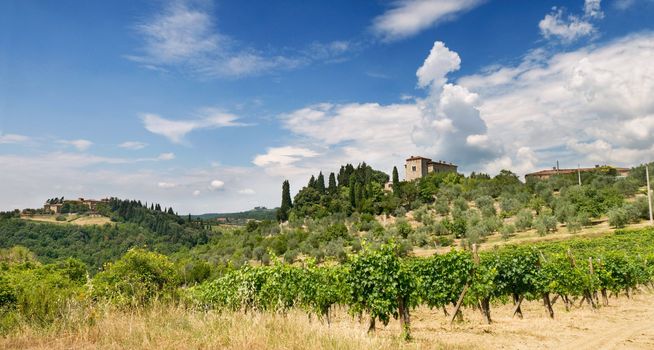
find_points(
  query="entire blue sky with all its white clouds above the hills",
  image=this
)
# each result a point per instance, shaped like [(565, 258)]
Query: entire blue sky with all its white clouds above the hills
[(207, 106)]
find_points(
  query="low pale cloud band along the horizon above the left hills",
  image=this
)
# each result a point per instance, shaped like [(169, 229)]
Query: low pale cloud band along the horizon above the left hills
[(33, 178)]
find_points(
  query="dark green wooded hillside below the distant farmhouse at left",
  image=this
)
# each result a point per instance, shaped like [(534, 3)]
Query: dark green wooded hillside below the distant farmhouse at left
[(134, 225)]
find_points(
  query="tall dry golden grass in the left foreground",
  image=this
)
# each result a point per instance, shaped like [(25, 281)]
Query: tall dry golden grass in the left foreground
[(174, 327)]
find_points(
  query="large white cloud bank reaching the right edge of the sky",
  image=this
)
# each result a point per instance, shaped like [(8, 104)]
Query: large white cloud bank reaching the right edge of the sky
[(589, 105)]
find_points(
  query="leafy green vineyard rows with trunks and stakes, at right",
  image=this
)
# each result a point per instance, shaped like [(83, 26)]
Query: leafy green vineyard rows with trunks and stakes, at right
[(380, 284)]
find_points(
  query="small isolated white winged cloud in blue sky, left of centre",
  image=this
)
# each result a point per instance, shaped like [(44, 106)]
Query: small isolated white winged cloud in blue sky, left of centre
[(176, 130)]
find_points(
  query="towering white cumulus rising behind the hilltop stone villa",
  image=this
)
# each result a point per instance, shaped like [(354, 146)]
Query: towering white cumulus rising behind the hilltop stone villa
[(444, 124)]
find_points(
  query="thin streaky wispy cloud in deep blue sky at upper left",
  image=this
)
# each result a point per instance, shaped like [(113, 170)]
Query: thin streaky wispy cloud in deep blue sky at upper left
[(184, 36)]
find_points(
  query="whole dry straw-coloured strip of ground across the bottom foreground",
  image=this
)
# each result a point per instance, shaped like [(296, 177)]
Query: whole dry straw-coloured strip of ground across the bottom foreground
[(624, 324)]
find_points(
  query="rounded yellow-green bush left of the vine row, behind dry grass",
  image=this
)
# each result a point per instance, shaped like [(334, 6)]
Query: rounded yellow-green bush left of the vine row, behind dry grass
[(137, 279)]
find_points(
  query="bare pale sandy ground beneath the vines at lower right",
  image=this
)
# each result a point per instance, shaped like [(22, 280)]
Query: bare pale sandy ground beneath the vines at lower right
[(624, 324)]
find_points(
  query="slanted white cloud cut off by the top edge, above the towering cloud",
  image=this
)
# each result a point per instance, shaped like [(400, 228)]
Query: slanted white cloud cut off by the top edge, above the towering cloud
[(409, 17)]
